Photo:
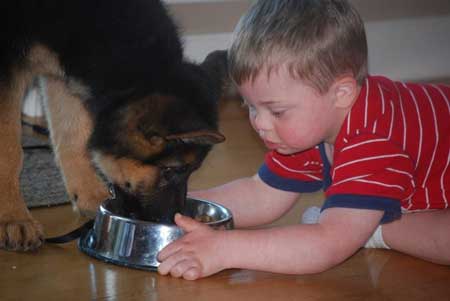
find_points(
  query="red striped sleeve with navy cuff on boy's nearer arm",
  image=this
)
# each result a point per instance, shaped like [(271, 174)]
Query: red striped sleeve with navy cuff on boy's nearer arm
[(371, 172)]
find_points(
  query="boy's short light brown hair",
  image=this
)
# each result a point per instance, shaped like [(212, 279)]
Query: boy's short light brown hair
[(318, 41)]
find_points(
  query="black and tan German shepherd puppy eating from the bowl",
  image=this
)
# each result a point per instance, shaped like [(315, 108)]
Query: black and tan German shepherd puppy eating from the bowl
[(122, 103)]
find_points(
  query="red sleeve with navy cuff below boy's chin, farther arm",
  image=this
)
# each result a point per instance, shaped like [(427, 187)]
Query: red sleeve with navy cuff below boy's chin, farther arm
[(300, 172)]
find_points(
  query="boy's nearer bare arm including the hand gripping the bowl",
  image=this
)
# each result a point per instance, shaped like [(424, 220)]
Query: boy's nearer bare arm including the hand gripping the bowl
[(296, 249)]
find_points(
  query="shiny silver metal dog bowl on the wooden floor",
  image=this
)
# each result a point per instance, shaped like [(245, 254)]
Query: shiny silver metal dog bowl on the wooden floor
[(136, 243)]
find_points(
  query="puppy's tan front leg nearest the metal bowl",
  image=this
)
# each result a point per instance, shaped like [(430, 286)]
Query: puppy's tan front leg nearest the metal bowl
[(70, 127)]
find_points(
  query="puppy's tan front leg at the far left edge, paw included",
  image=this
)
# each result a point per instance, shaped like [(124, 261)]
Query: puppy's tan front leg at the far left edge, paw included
[(18, 230)]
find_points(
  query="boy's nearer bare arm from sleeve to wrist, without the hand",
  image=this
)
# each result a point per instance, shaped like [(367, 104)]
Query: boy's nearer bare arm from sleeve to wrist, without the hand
[(303, 249)]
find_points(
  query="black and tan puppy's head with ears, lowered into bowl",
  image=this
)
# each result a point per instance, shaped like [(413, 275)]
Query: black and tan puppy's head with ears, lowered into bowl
[(152, 143)]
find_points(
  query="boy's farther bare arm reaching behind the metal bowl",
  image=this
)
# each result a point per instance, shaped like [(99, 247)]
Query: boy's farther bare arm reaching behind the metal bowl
[(251, 201)]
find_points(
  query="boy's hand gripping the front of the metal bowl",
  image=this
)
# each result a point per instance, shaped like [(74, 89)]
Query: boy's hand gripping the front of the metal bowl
[(198, 253)]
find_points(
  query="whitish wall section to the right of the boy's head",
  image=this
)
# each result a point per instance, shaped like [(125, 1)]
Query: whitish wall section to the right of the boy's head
[(410, 49)]
